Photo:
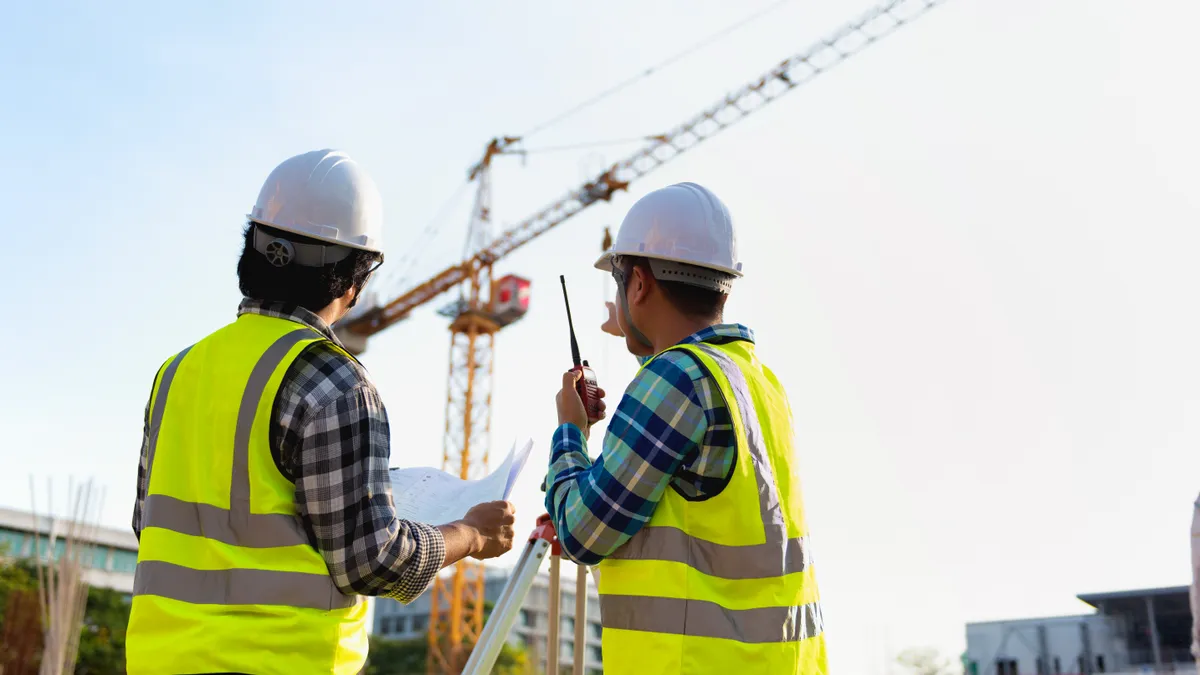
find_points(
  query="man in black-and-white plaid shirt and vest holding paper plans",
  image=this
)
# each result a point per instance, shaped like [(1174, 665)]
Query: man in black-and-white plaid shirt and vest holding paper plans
[(265, 509)]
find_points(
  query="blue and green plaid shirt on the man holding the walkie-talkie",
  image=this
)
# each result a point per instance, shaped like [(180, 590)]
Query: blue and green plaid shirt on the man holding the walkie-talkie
[(671, 429)]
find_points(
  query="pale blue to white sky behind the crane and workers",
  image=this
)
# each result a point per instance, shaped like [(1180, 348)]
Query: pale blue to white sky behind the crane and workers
[(969, 254)]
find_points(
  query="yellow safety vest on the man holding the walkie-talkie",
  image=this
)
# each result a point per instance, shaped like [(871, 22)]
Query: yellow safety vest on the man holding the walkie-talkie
[(725, 584)]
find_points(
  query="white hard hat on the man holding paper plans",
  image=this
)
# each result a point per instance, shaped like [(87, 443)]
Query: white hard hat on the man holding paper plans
[(323, 195)]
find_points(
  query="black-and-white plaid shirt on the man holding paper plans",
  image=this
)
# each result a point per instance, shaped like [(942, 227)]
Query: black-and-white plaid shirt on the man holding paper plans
[(329, 435)]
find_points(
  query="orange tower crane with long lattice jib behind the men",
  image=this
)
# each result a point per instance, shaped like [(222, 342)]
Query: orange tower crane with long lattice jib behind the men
[(487, 306)]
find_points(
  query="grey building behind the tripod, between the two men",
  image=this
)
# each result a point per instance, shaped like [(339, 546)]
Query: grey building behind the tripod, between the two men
[(401, 622)]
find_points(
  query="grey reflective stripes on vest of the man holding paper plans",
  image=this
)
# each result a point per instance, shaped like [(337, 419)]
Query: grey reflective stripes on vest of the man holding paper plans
[(235, 527)]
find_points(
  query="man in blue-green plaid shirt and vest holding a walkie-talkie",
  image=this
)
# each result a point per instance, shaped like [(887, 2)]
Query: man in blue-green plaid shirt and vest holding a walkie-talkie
[(693, 511)]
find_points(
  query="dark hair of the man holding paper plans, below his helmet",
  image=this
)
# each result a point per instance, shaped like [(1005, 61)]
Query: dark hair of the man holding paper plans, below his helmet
[(310, 288)]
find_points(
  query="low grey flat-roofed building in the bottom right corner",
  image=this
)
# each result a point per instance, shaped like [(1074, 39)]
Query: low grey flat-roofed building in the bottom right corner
[(1147, 631)]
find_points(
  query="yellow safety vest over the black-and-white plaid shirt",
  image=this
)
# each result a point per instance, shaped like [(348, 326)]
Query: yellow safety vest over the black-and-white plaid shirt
[(227, 581)]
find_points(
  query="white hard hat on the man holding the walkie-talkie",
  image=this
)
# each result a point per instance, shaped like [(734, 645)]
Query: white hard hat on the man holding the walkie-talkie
[(681, 224)]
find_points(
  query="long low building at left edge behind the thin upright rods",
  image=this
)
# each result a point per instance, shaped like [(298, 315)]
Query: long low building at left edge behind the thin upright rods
[(110, 561)]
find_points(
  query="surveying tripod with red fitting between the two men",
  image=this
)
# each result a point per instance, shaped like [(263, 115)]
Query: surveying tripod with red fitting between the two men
[(543, 542)]
